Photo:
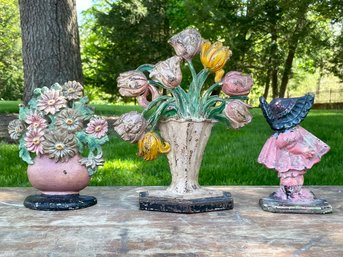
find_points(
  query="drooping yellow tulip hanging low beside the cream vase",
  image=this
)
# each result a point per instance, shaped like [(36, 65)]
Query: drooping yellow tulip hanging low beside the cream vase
[(150, 145)]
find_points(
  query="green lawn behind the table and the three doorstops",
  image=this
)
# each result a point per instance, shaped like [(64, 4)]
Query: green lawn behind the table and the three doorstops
[(230, 157)]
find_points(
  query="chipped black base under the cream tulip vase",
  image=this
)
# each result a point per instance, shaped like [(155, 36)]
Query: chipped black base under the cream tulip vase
[(181, 205)]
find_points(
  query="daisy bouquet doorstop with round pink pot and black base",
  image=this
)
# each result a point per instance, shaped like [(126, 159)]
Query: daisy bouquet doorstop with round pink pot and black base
[(53, 131)]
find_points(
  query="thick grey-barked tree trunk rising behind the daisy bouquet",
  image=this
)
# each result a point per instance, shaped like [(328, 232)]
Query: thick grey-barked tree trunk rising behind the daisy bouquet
[(51, 49)]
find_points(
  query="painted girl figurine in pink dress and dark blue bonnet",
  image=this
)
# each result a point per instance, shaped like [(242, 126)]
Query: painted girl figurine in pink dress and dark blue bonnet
[(291, 151)]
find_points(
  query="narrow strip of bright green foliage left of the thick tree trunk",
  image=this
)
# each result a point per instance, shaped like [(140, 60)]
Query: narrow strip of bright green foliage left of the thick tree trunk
[(11, 71)]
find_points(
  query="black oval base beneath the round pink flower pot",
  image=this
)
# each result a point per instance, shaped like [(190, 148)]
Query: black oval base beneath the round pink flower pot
[(44, 202)]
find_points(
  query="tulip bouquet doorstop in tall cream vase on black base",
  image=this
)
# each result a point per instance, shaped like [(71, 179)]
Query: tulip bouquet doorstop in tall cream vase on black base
[(184, 118)]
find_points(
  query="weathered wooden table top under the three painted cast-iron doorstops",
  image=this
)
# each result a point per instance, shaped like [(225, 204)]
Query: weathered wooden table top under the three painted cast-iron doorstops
[(115, 227)]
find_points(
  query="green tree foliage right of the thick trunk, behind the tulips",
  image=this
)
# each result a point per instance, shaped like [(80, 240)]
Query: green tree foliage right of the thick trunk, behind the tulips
[(267, 37)]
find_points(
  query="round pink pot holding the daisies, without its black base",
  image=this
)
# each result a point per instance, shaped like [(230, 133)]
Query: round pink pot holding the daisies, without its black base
[(58, 178)]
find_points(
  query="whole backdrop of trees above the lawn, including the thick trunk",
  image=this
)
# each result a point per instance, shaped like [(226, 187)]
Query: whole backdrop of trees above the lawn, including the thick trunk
[(270, 39)]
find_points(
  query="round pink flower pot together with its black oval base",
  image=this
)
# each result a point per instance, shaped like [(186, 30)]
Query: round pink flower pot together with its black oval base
[(59, 183)]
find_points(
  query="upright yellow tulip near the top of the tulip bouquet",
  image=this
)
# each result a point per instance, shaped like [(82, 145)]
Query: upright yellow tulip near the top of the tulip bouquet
[(214, 57)]
